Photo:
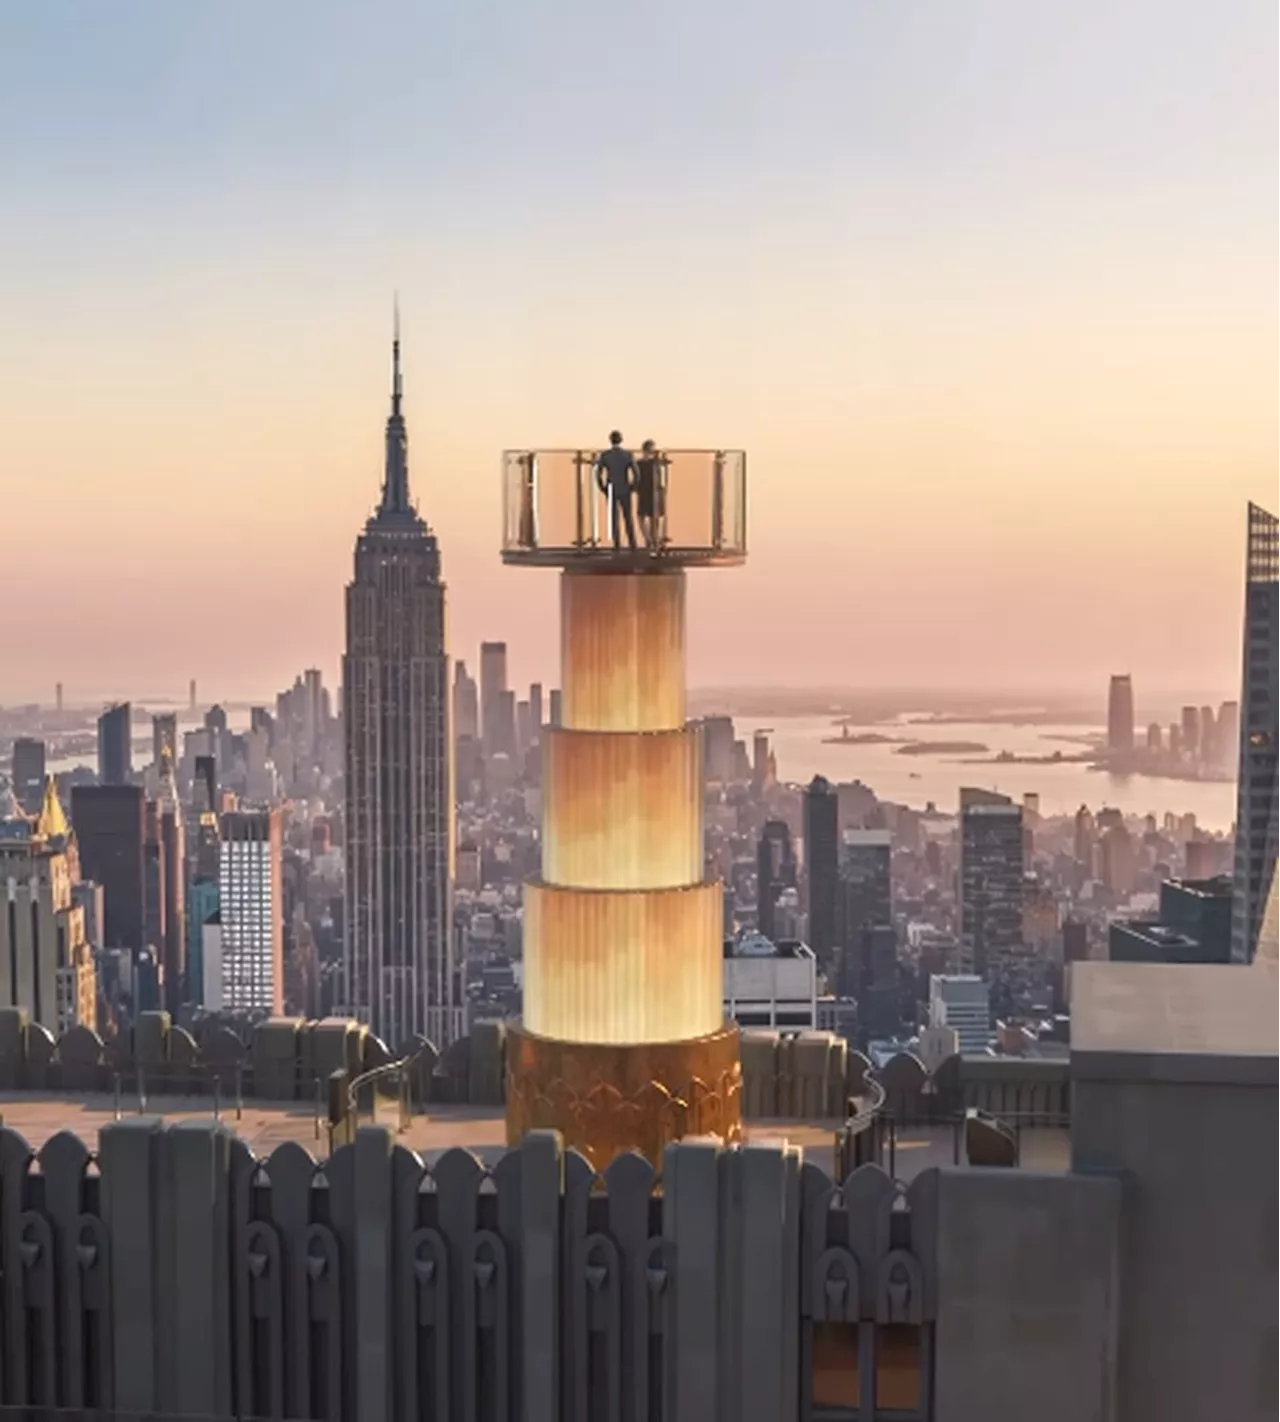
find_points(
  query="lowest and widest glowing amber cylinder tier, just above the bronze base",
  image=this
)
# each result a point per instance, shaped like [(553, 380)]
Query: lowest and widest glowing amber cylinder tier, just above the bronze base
[(618, 966)]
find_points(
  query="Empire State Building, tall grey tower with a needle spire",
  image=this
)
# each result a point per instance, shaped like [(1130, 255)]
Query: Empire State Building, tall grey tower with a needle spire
[(399, 953)]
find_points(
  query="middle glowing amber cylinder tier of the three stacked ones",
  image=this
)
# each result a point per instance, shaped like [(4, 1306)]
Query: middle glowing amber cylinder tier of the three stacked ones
[(622, 811)]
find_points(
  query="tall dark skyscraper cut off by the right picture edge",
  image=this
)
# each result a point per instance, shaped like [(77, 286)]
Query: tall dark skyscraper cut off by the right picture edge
[(1258, 803)]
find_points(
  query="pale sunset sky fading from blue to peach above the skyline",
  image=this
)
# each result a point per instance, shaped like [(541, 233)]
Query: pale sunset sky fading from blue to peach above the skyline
[(988, 289)]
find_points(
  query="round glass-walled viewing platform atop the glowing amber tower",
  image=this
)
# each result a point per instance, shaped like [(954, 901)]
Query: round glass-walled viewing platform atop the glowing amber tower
[(688, 510)]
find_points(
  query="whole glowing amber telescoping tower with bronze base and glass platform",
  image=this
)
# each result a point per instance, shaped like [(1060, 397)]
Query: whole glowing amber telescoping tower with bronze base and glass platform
[(624, 1043)]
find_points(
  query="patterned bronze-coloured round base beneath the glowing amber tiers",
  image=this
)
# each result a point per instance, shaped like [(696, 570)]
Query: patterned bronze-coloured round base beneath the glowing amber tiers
[(608, 1100)]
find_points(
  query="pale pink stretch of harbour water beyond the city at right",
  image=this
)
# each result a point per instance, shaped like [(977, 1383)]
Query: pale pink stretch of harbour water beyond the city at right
[(918, 780)]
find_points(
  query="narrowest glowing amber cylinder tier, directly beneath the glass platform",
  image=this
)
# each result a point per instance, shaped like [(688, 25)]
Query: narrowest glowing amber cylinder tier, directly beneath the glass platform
[(622, 651)]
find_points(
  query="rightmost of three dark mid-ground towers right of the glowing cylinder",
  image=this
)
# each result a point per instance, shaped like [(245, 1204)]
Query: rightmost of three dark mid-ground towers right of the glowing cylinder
[(992, 882)]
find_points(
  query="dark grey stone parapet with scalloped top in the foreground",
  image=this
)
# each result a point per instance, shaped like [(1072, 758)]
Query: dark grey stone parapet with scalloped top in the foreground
[(176, 1273)]
